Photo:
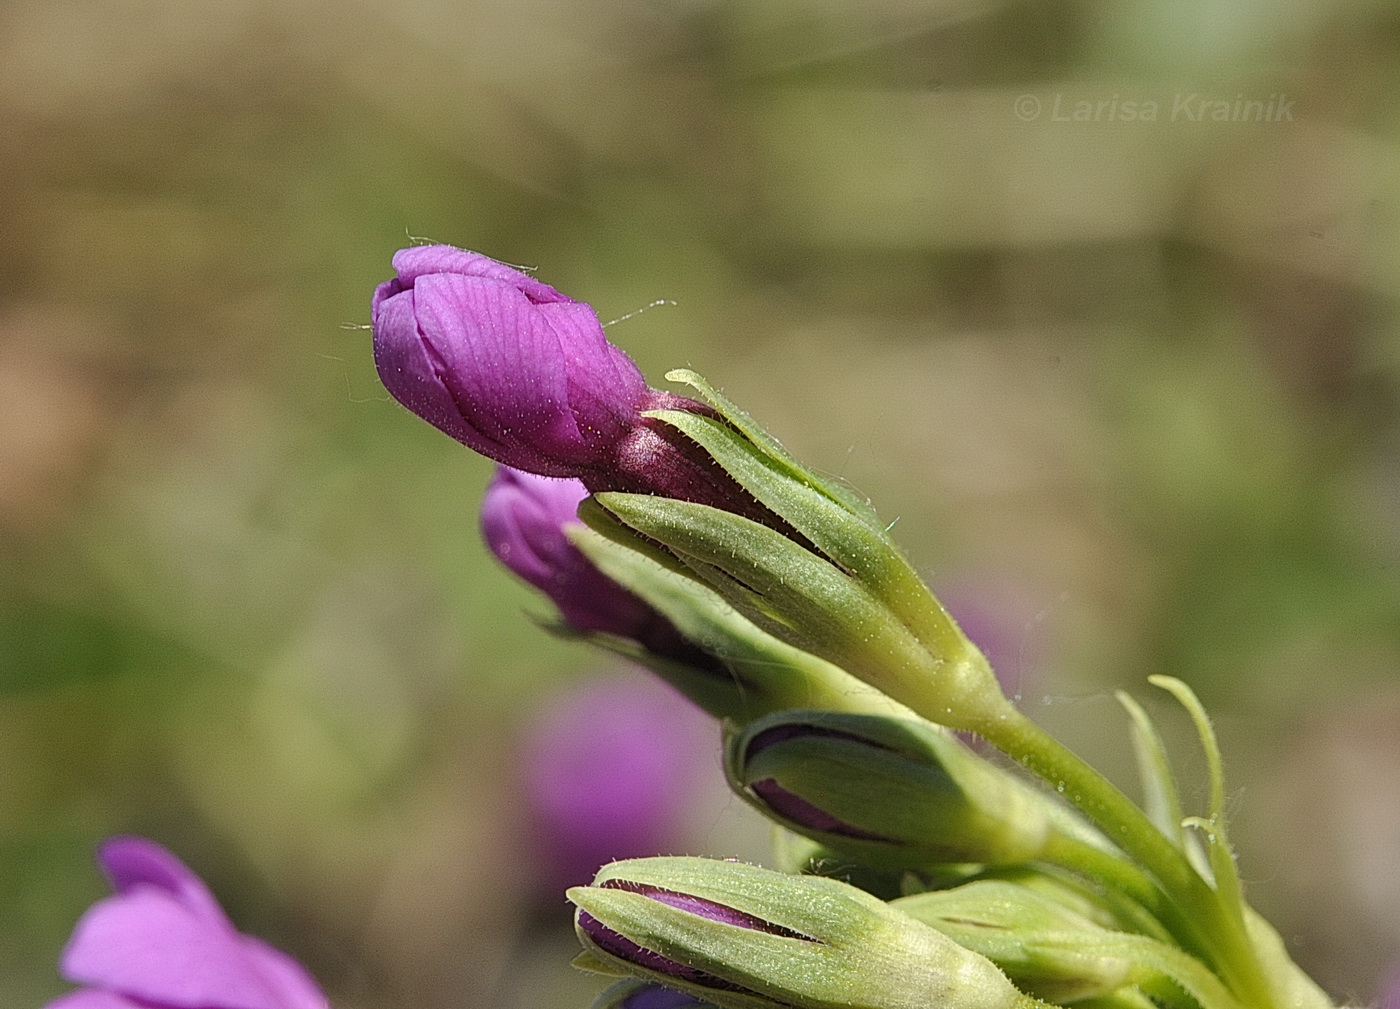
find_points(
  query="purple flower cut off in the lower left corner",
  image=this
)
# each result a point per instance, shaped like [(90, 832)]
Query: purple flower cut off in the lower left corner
[(163, 943)]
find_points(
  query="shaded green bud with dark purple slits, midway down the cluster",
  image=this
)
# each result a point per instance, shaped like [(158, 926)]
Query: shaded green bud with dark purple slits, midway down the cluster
[(890, 793)]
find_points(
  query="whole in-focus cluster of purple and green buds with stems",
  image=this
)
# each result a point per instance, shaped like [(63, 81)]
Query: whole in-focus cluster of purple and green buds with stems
[(675, 531)]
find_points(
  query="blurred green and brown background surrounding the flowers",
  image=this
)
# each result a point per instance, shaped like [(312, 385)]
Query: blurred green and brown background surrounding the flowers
[(1130, 386)]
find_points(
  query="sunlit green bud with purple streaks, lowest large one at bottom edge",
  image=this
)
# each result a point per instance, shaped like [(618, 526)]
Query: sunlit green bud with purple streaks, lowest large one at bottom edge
[(744, 937)]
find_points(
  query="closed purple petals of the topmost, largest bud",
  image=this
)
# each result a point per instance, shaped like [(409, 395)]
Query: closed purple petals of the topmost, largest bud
[(505, 365)]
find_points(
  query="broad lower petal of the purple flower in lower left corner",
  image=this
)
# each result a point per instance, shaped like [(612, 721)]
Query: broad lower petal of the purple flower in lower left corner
[(149, 945)]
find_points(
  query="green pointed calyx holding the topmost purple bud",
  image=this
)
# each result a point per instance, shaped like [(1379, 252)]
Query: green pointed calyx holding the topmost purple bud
[(821, 573)]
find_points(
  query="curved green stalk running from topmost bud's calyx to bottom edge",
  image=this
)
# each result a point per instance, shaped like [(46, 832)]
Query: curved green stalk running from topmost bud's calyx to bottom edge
[(1216, 934)]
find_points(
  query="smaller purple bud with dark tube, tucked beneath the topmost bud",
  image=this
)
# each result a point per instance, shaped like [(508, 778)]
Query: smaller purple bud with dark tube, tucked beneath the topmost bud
[(524, 521)]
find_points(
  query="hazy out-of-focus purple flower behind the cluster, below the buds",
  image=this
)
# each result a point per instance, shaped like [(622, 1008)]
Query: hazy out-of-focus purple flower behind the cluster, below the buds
[(614, 769)]
